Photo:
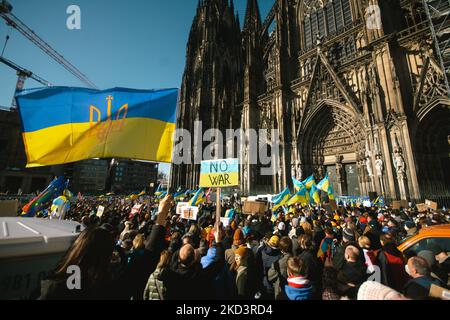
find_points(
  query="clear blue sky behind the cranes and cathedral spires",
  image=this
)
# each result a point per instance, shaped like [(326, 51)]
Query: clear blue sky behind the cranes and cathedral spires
[(133, 43)]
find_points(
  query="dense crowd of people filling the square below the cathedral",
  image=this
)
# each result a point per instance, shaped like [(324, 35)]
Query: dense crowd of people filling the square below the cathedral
[(306, 253)]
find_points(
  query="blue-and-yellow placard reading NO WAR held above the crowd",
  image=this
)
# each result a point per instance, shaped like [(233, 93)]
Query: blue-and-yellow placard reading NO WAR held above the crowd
[(219, 173)]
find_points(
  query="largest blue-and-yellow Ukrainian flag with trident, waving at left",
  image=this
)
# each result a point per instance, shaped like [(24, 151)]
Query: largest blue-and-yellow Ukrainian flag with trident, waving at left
[(63, 124)]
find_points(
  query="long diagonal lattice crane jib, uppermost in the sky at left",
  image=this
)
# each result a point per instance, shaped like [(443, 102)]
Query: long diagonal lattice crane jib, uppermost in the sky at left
[(16, 23)]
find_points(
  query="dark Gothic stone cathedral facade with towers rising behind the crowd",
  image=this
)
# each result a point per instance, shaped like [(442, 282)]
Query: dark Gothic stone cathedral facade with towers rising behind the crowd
[(358, 90)]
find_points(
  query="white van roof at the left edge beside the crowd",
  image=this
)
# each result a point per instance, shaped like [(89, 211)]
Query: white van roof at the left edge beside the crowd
[(21, 237)]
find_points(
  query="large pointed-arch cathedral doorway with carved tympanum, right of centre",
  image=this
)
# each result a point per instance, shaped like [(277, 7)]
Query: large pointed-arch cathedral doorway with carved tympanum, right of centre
[(333, 142)]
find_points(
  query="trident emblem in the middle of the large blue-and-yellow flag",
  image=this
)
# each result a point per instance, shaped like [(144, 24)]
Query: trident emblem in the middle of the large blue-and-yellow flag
[(103, 128)]
